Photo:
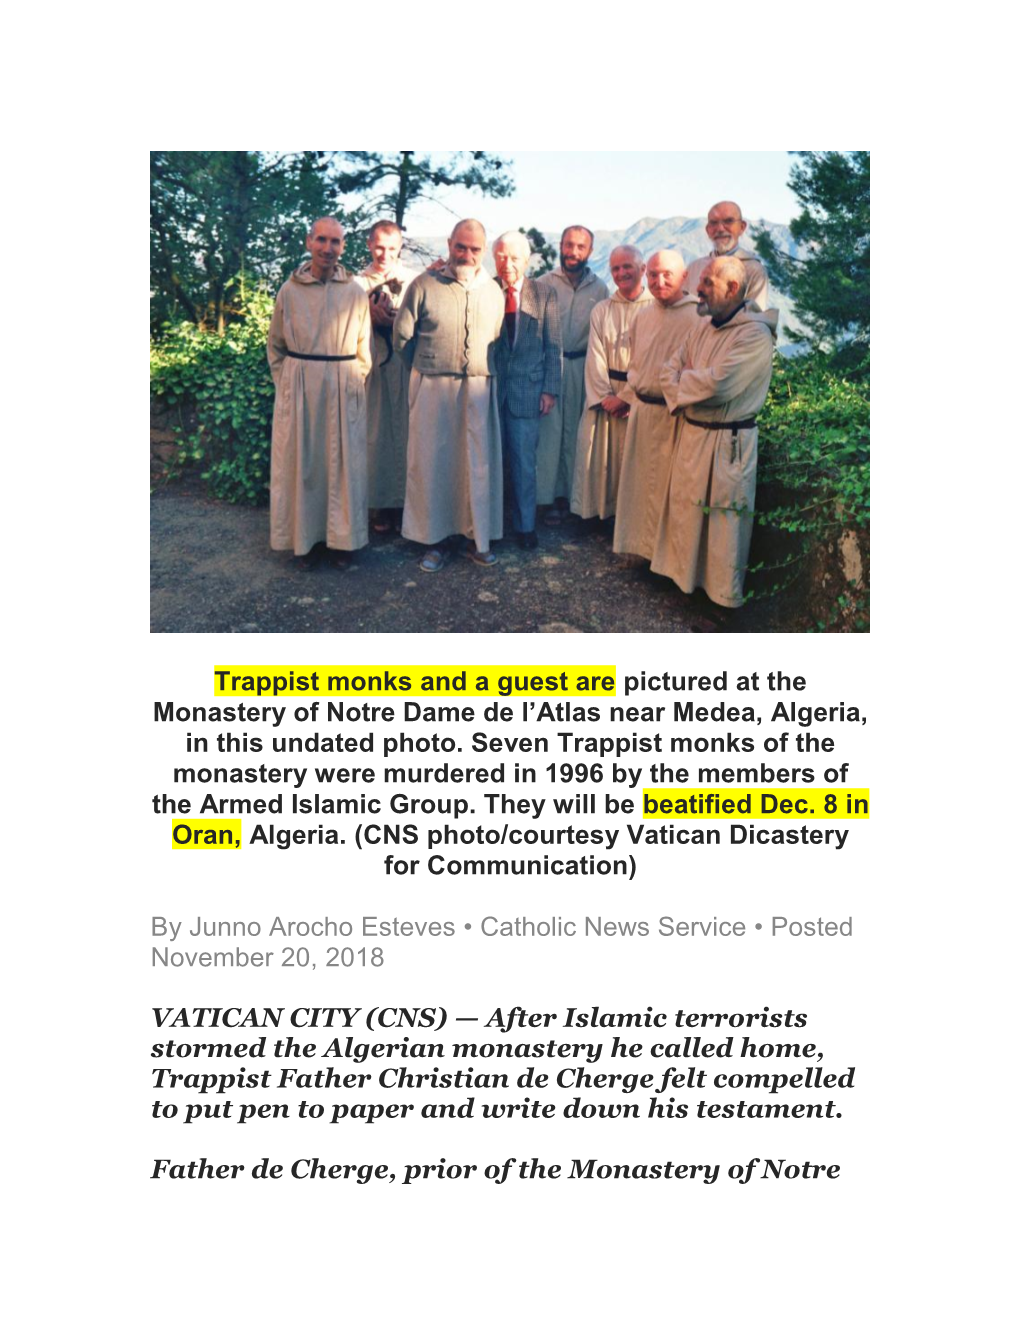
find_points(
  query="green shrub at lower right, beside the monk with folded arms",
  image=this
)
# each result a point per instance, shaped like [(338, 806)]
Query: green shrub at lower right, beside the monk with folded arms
[(815, 472)]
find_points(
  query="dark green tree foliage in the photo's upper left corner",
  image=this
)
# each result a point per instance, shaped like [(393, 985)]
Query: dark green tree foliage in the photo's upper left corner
[(224, 222)]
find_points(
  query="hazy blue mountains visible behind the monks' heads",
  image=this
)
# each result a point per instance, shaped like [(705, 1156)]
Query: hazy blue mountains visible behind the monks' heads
[(683, 234)]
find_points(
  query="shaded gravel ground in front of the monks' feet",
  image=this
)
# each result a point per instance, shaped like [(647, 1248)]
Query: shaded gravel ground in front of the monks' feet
[(213, 572)]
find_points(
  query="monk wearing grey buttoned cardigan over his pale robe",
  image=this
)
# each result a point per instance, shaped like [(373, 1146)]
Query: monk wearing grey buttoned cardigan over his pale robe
[(448, 329)]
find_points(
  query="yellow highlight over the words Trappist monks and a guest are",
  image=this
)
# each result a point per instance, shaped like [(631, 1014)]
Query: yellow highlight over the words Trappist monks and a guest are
[(449, 680)]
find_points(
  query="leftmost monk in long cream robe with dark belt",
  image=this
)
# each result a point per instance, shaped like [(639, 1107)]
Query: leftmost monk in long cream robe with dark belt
[(320, 354)]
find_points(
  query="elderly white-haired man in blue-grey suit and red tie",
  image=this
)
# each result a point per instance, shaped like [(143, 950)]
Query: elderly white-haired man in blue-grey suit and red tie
[(528, 370)]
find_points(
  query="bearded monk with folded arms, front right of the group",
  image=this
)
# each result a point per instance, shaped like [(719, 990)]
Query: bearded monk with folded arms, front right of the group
[(717, 381)]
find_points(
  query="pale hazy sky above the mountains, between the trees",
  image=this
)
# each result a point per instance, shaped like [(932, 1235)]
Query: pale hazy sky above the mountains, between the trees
[(609, 191)]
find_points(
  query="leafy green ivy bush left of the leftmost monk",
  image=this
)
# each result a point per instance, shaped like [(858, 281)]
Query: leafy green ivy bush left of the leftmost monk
[(221, 394)]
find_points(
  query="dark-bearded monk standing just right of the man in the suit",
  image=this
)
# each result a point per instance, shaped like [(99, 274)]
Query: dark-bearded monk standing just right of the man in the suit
[(579, 294)]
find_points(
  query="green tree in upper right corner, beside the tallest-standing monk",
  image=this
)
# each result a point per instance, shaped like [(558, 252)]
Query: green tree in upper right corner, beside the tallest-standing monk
[(832, 283)]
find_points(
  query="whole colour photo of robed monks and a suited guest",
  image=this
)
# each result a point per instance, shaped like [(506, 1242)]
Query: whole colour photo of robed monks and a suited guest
[(659, 427)]
